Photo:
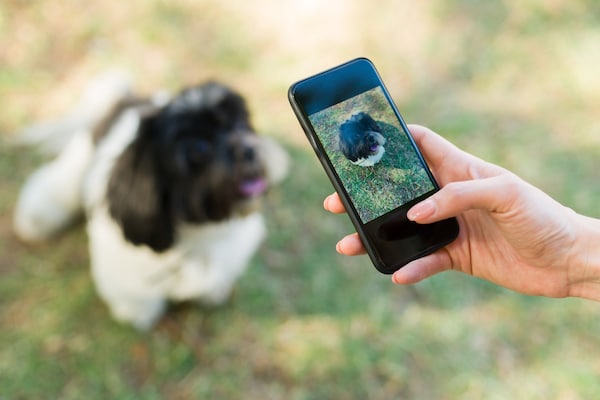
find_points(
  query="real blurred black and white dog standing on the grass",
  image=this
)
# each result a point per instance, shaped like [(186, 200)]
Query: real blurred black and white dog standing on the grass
[(171, 190)]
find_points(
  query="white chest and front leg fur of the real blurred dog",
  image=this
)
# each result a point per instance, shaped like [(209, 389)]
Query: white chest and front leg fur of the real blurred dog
[(204, 264)]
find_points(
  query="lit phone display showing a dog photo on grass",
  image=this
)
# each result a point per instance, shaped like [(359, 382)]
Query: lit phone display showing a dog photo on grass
[(371, 153)]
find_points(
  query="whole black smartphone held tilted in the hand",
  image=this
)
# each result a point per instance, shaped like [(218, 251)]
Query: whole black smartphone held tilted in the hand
[(372, 161)]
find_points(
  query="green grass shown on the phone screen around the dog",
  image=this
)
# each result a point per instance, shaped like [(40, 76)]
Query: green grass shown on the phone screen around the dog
[(394, 181)]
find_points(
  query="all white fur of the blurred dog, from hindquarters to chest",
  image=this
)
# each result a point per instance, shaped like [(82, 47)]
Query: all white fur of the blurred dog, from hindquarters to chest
[(135, 281)]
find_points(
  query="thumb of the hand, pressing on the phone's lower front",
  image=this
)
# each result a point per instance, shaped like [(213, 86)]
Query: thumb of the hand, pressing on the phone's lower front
[(496, 195)]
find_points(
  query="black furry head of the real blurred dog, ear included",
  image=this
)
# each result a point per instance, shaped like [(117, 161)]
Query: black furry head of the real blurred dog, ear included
[(195, 160)]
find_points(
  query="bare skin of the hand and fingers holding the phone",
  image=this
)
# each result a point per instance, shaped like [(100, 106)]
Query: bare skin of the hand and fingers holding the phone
[(511, 233)]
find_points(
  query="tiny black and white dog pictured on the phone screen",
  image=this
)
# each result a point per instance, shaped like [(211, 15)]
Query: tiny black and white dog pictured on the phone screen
[(361, 141)]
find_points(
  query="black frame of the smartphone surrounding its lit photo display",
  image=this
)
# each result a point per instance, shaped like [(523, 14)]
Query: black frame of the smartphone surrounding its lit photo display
[(329, 88)]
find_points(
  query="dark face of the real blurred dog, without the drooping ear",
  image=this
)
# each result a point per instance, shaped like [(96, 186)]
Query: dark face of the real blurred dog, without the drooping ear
[(209, 154)]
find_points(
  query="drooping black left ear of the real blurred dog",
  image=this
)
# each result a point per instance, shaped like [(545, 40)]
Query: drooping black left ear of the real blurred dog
[(137, 196)]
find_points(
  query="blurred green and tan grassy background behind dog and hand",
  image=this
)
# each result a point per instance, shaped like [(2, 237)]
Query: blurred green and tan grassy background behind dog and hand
[(514, 82)]
